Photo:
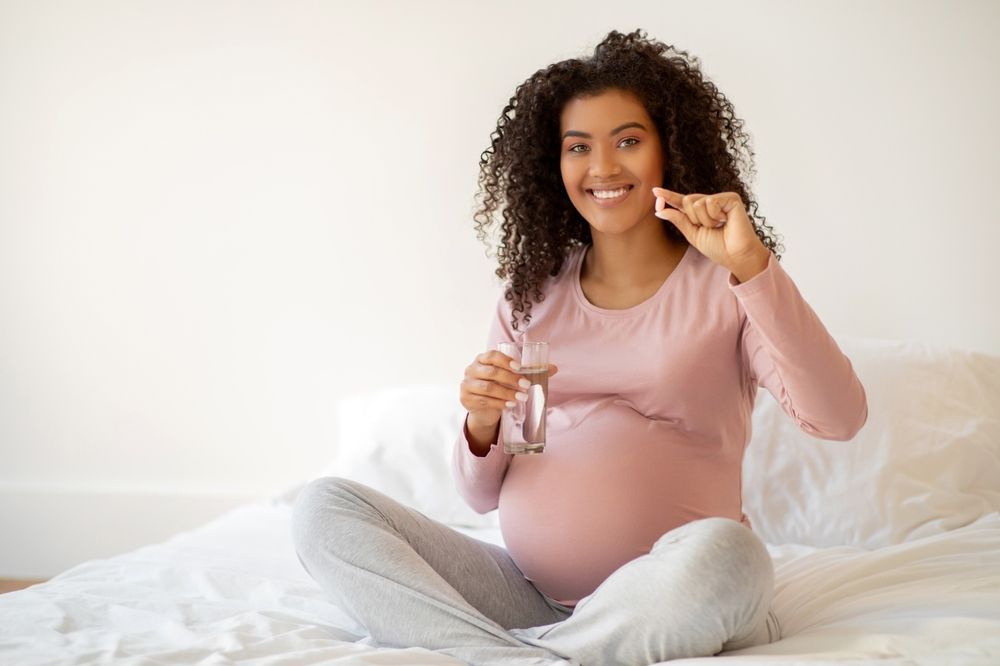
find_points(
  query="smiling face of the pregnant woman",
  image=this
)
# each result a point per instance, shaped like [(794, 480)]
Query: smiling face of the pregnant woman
[(610, 160)]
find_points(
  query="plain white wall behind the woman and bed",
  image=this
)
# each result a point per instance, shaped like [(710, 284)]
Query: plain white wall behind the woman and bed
[(217, 218)]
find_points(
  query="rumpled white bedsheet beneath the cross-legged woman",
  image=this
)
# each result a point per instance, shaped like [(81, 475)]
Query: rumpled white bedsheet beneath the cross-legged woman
[(233, 591)]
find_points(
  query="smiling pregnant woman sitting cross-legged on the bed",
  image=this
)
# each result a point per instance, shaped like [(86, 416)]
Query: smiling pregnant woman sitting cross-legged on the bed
[(626, 243)]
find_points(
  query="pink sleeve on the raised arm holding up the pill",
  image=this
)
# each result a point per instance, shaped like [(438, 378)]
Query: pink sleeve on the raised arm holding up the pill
[(787, 350)]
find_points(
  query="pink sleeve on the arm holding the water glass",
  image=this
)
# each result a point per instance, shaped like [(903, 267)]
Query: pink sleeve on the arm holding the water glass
[(479, 478)]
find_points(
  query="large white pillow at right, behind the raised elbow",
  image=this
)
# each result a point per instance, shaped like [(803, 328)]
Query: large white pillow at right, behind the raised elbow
[(927, 461)]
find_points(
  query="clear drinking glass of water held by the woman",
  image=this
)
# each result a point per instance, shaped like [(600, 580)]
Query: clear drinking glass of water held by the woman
[(523, 426)]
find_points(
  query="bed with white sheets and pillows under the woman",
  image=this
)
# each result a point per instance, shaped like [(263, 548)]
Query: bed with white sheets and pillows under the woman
[(886, 547)]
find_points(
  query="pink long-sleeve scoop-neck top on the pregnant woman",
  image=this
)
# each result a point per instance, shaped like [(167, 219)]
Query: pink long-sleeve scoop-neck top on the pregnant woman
[(650, 413)]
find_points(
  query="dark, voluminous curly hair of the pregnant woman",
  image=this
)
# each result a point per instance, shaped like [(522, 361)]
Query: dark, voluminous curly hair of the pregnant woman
[(705, 150)]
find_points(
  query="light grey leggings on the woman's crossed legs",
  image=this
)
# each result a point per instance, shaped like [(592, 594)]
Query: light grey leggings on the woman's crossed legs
[(414, 582)]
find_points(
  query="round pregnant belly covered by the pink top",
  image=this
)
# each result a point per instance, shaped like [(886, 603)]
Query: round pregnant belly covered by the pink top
[(603, 492)]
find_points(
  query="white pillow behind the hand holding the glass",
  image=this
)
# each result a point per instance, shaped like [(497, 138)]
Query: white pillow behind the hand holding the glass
[(399, 441)]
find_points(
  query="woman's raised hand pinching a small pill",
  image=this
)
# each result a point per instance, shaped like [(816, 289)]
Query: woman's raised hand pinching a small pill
[(717, 225)]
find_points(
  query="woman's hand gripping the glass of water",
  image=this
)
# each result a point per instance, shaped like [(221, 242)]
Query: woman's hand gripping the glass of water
[(491, 383)]
